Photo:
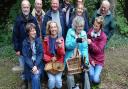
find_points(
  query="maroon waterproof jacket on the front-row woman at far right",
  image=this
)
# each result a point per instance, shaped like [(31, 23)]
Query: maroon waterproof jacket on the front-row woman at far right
[(96, 48)]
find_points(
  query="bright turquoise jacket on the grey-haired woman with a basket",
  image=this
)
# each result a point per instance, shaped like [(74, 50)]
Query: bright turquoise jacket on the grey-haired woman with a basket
[(71, 44)]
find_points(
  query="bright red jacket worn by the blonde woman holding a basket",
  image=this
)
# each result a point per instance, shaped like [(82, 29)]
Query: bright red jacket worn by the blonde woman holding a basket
[(60, 52)]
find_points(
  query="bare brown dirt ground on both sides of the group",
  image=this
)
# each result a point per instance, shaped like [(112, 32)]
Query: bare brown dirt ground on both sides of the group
[(115, 73)]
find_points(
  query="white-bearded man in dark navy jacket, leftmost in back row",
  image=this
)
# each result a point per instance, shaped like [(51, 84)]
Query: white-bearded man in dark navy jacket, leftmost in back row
[(19, 32)]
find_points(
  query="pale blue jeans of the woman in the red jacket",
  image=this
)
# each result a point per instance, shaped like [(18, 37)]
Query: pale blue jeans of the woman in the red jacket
[(54, 80)]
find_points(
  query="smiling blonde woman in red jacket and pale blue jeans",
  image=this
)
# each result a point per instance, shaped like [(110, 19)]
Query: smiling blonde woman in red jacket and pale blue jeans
[(53, 51)]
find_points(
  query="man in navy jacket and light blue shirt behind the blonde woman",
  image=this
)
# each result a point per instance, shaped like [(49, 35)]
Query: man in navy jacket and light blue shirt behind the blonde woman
[(56, 15)]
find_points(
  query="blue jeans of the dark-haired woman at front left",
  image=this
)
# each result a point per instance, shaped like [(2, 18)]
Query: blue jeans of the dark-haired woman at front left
[(36, 80)]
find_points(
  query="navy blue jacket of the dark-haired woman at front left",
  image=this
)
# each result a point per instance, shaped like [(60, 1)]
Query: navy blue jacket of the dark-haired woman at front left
[(27, 55)]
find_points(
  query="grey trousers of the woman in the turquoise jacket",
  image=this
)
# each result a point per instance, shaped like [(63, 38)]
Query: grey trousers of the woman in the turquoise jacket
[(71, 81)]
